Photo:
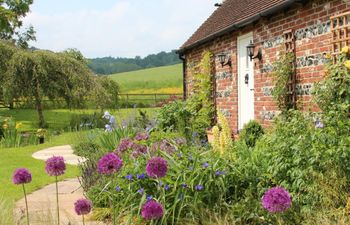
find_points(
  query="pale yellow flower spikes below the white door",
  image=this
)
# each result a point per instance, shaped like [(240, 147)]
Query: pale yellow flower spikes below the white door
[(222, 135)]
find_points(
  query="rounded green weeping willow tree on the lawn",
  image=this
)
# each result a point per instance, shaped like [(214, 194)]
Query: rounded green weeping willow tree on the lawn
[(33, 76)]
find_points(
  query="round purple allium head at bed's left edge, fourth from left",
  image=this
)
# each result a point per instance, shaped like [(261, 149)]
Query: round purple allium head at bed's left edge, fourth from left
[(109, 163)]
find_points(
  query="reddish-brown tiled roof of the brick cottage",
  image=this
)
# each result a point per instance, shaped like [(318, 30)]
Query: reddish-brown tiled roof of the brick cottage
[(230, 13)]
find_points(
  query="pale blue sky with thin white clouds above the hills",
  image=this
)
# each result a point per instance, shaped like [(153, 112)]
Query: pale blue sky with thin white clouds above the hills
[(118, 28)]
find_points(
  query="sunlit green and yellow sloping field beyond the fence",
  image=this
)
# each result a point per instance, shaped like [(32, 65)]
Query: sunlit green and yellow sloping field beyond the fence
[(167, 79)]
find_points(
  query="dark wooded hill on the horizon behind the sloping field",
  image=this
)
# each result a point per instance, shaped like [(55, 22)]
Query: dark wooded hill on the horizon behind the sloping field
[(110, 65)]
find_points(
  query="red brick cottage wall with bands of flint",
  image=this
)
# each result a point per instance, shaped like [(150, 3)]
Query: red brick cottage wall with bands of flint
[(311, 25)]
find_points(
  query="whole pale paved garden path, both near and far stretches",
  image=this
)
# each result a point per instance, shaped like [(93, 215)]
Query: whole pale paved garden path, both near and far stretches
[(42, 203)]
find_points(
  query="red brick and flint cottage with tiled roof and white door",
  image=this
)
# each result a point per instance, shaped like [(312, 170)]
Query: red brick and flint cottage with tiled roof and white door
[(244, 88)]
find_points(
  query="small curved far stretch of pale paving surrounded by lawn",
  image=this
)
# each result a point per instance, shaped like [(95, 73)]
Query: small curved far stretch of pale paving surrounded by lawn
[(65, 151)]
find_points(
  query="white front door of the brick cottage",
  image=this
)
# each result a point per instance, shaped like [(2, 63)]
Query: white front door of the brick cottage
[(245, 81)]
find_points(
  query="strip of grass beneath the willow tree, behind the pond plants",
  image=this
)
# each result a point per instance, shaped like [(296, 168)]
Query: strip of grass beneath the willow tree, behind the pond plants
[(58, 119)]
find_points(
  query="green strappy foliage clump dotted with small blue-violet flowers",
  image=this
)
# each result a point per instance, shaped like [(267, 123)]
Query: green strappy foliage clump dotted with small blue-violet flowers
[(180, 191)]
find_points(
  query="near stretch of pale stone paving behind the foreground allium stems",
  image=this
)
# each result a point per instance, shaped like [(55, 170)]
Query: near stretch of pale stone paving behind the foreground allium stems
[(42, 204)]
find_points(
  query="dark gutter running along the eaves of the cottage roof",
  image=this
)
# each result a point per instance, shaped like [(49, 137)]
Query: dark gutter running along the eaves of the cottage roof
[(240, 24)]
